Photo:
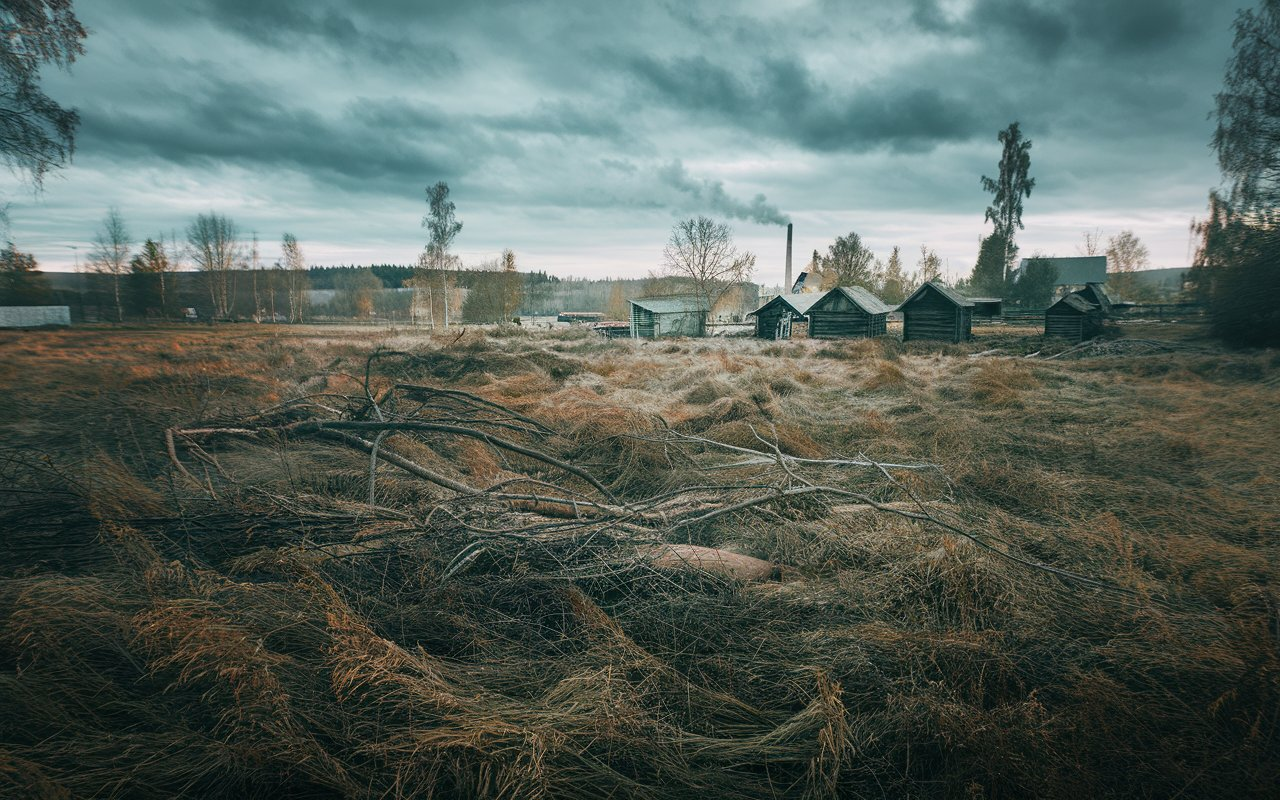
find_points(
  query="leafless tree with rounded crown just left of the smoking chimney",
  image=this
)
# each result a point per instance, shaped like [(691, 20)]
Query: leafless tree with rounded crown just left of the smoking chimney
[(702, 253)]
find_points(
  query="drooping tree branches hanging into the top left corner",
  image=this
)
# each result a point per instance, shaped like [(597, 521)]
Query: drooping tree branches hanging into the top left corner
[(36, 134)]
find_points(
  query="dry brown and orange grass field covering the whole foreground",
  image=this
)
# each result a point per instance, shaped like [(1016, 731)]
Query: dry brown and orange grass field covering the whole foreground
[(1068, 588)]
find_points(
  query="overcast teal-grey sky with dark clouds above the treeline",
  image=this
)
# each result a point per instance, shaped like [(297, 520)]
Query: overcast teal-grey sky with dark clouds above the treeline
[(578, 132)]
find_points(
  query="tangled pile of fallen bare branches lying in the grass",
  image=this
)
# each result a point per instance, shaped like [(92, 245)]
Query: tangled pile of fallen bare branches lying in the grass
[(543, 496)]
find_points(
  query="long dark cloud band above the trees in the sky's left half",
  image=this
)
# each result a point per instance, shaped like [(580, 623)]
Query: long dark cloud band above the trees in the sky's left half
[(365, 140)]
